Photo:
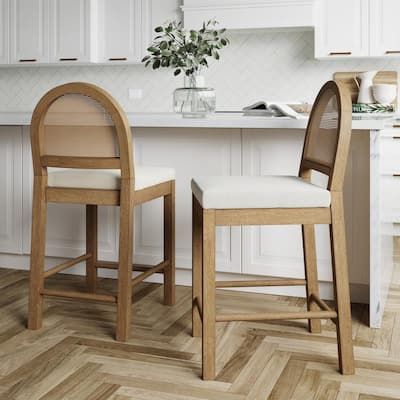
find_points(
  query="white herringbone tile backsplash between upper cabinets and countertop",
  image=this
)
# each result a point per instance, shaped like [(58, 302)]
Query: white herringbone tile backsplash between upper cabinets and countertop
[(258, 65)]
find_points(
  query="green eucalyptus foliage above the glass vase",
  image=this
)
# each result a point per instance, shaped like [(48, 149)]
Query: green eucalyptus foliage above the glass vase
[(185, 51)]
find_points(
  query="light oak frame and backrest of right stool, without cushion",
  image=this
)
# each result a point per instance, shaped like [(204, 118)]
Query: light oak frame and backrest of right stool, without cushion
[(325, 150)]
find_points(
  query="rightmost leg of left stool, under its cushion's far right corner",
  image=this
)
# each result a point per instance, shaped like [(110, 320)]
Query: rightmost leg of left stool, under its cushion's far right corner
[(169, 247)]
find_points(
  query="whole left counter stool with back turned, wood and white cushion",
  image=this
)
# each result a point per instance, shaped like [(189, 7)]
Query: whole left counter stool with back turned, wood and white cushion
[(82, 153)]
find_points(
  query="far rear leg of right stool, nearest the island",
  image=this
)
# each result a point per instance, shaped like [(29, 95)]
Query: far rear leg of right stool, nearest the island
[(311, 273)]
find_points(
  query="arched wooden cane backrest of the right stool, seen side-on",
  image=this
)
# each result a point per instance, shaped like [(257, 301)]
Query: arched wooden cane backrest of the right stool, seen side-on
[(328, 135)]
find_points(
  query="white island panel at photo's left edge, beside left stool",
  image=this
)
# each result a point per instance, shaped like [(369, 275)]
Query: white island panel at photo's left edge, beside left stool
[(11, 193)]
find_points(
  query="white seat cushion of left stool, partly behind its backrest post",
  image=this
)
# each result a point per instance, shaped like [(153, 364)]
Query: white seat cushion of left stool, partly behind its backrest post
[(107, 178)]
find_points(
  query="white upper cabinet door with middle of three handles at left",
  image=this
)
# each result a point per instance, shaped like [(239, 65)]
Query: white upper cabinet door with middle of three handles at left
[(71, 30)]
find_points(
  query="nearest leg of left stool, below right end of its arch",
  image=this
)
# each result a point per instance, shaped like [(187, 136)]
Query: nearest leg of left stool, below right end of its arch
[(124, 302)]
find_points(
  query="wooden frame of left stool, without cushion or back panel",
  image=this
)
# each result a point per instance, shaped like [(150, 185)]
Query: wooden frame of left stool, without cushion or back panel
[(126, 198)]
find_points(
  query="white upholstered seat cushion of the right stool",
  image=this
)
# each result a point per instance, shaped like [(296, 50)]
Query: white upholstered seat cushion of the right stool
[(230, 192)]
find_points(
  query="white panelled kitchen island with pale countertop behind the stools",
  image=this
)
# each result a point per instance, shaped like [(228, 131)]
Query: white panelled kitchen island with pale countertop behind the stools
[(223, 144)]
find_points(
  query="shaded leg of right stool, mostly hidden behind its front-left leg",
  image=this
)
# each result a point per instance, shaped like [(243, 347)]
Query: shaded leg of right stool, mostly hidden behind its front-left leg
[(197, 261)]
